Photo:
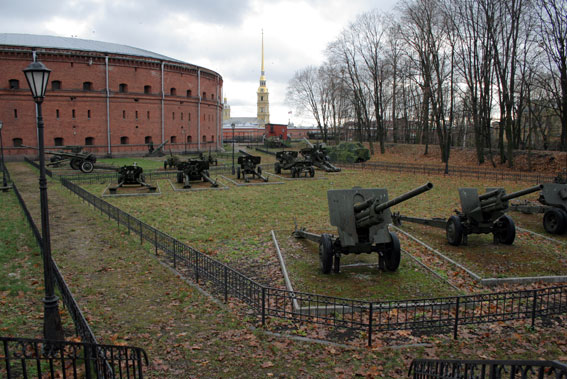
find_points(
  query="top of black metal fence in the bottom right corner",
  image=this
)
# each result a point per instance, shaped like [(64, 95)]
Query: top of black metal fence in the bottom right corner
[(493, 369)]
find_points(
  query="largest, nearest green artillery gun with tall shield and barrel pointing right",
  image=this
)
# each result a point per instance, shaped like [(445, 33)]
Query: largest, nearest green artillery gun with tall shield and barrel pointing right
[(362, 216)]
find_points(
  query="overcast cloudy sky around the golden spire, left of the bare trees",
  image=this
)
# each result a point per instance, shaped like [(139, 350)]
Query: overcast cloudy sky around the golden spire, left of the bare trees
[(222, 35)]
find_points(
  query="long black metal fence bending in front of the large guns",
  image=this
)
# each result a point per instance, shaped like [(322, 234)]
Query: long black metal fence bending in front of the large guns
[(439, 314)]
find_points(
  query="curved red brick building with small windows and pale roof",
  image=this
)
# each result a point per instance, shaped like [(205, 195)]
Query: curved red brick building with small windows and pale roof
[(111, 98)]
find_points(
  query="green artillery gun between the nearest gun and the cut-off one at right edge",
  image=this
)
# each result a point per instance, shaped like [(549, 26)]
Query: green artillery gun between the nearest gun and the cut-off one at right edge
[(481, 214)]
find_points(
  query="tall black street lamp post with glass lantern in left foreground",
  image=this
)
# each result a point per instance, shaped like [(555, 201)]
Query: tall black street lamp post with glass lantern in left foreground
[(37, 76)]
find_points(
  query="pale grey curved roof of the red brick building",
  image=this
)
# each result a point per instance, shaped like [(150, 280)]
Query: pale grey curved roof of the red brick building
[(66, 43)]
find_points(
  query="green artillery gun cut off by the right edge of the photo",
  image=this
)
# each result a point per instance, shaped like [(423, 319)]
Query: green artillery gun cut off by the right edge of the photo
[(553, 199)]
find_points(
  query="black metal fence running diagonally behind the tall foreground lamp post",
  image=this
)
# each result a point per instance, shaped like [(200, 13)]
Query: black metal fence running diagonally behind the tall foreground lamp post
[(82, 327)]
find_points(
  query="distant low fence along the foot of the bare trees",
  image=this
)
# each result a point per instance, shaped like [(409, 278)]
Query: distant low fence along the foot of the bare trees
[(453, 171)]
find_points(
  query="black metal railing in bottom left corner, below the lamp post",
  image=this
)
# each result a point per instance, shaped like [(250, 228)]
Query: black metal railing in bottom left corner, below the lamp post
[(37, 358)]
